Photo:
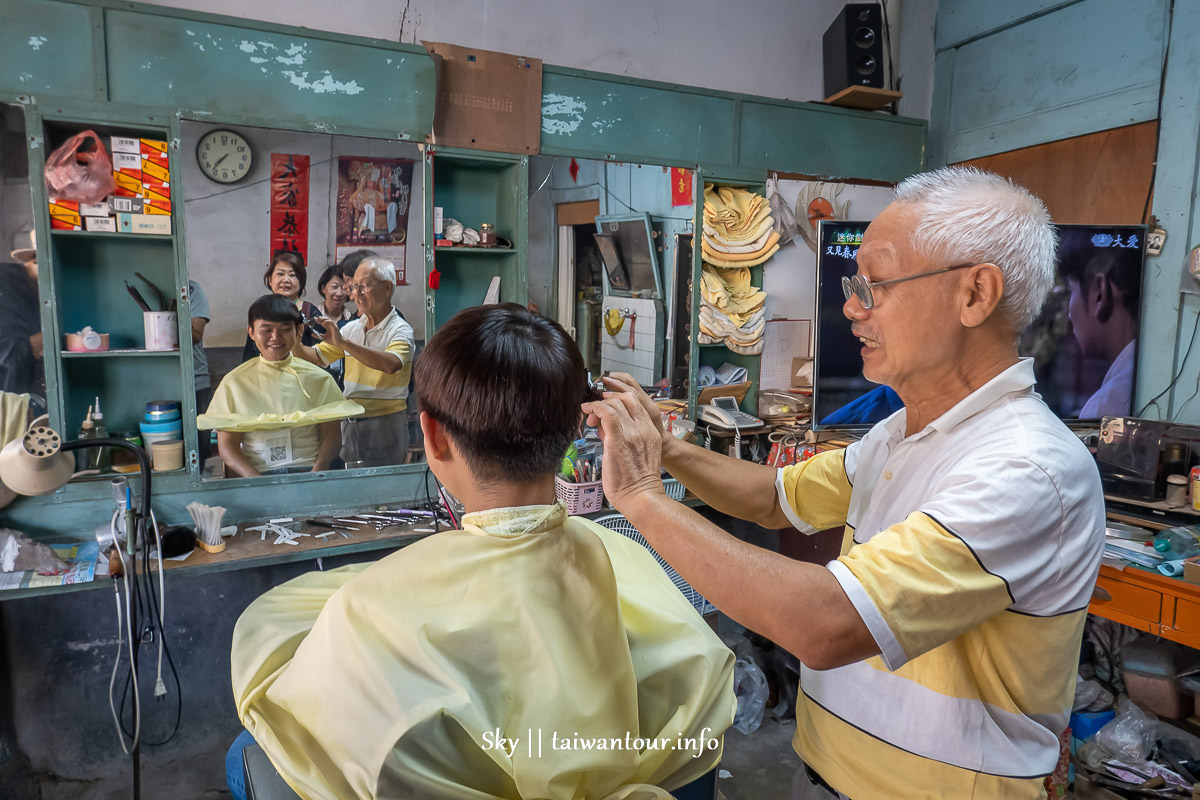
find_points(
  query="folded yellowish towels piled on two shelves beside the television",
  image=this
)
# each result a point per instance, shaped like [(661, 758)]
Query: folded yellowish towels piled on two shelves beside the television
[(739, 234)]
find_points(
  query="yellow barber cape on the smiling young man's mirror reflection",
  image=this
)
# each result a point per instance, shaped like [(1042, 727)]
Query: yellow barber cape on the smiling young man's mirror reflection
[(262, 395)]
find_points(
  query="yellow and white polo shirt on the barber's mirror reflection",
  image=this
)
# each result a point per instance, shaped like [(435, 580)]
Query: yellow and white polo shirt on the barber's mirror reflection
[(379, 393)]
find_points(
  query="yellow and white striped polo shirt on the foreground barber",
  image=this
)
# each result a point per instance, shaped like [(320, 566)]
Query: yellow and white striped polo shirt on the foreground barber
[(971, 554)]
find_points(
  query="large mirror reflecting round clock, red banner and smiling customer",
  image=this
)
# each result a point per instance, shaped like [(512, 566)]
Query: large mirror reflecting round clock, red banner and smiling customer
[(307, 274)]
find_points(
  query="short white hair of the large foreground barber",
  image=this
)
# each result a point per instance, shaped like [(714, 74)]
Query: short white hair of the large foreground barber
[(969, 215)]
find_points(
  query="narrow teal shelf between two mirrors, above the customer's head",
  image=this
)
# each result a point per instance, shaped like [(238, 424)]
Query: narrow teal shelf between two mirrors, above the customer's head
[(476, 188)]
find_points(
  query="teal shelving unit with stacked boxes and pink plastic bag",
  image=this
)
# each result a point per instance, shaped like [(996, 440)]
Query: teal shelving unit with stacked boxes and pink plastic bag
[(83, 276)]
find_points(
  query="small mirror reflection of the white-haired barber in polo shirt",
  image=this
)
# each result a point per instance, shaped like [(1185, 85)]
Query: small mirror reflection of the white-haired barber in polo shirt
[(379, 352)]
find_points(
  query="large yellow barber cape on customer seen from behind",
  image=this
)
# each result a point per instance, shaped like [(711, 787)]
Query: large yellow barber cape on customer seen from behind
[(529, 655)]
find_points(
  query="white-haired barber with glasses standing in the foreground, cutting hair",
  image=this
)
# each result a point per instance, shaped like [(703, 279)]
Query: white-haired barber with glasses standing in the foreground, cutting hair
[(940, 648)]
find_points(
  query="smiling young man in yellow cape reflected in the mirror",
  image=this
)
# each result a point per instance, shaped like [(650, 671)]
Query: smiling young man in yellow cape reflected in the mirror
[(277, 413)]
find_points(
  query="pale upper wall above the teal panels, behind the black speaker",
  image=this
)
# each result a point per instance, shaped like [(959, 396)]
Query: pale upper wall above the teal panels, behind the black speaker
[(767, 47)]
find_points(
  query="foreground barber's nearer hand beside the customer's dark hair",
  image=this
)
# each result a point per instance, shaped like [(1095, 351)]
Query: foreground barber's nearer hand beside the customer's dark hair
[(633, 448)]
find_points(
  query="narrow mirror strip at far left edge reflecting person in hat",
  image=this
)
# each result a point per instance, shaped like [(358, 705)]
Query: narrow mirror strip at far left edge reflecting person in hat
[(22, 368)]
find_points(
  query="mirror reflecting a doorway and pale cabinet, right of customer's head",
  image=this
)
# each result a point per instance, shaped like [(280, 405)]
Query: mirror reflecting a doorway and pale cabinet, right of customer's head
[(603, 261)]
